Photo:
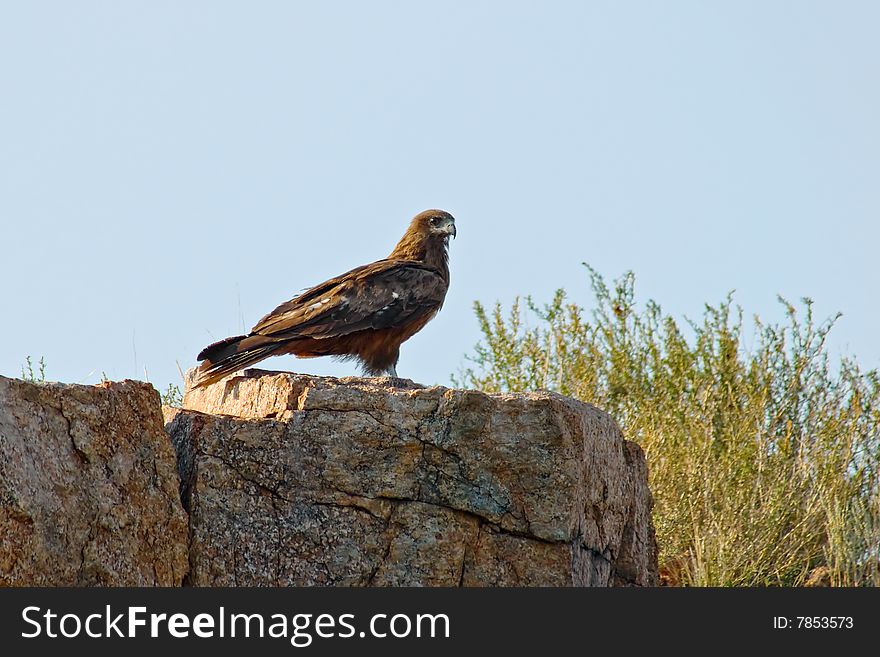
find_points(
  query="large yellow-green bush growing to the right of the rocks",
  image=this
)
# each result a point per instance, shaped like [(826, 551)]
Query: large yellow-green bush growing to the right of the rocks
[(763, 461)]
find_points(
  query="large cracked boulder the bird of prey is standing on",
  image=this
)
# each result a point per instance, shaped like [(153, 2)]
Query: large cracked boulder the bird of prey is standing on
[(312, 480)]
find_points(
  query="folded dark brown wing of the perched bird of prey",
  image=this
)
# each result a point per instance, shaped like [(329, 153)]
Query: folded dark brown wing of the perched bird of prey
[(381, 295)]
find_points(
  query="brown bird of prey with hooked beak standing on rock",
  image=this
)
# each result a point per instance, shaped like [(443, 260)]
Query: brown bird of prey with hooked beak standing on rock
[(364, 314)]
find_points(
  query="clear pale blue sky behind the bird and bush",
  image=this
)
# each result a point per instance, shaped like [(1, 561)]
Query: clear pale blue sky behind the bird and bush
[(172, 171)]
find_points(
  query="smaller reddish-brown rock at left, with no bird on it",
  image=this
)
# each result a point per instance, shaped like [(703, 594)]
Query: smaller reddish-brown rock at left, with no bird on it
[(88, 487)]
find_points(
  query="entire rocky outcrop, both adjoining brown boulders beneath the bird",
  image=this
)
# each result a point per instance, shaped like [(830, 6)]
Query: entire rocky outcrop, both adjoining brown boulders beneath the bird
[(299, 480)]
